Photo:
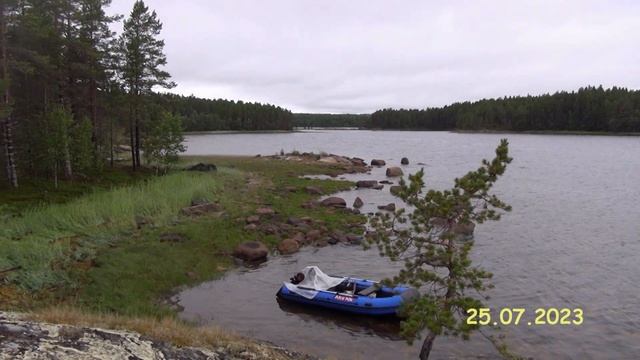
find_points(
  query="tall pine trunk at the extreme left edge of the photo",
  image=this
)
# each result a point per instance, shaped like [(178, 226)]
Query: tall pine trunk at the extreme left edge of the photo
[(7, 123)]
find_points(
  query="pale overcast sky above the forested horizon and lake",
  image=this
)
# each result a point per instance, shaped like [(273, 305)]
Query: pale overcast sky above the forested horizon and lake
[(359, 56)]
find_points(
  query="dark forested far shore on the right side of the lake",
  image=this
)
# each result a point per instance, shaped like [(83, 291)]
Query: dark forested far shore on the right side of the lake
[(588, 109)]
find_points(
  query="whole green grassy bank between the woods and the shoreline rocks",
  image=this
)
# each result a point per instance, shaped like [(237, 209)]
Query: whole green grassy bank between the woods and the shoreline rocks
[(89, 253)]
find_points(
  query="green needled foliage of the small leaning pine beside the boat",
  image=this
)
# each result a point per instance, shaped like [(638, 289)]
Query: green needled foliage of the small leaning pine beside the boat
[(435, 259)]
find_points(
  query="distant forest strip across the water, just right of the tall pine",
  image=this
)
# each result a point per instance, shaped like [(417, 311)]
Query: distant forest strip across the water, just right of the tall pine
[(200, 114)]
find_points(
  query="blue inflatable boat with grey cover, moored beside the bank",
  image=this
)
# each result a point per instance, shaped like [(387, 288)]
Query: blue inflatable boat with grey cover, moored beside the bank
[(353, 295)]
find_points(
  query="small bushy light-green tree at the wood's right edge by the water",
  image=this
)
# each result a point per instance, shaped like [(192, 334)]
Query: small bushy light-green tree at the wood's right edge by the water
[(164, 141)]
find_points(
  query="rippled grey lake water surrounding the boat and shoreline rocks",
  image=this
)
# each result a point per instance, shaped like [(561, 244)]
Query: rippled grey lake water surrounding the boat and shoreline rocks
[(572, 240)]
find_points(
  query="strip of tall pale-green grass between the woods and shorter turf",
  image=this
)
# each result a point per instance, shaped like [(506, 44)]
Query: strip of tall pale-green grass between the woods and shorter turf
[(45, 239)]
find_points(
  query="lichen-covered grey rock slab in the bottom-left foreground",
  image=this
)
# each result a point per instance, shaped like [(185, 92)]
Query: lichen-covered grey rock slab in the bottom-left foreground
[(21, 338)]
